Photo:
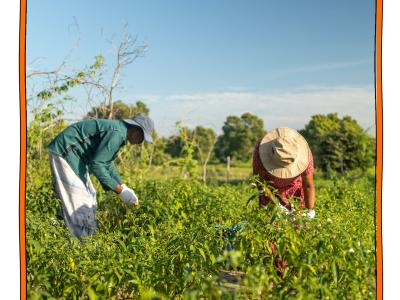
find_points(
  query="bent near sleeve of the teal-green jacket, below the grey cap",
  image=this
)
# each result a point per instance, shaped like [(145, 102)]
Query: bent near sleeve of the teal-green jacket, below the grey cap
[(101, 163)]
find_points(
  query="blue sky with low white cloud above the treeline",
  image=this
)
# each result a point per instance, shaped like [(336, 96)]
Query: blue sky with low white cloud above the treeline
[(210, 59)]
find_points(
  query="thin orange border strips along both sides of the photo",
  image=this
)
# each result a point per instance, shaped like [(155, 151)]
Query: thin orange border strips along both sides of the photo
[(379, 146)]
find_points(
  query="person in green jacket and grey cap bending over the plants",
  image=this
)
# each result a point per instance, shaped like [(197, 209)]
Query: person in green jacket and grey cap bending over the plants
[(90, 146)]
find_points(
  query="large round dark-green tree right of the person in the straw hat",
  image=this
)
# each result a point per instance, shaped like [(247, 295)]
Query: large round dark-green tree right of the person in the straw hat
[(339, 144)]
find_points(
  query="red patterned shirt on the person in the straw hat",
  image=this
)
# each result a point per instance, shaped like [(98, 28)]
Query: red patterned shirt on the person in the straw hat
[(291, 187)]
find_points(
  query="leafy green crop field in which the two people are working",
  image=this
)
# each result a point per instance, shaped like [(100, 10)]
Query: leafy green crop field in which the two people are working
[(191, 241)]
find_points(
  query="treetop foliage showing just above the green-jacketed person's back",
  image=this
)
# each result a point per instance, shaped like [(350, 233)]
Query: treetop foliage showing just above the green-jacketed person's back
[(121, 110)]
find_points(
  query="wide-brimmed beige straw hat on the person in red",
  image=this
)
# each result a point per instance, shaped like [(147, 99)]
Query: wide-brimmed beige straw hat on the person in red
[(284, 153)]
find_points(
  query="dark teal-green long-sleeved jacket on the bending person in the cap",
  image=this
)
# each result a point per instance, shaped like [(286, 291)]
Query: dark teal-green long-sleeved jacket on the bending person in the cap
[(92, 145)]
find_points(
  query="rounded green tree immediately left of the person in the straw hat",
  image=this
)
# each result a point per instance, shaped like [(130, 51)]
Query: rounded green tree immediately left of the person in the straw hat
[(239, 136)]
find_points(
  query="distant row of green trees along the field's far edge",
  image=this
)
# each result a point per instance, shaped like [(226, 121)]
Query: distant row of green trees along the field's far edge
[(338, 144)]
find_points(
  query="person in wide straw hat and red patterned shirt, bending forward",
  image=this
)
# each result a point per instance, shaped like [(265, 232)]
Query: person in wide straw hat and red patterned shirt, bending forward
[(283, 159)]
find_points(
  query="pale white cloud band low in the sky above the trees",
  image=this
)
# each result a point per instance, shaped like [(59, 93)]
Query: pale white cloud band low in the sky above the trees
[(291, 108)]
